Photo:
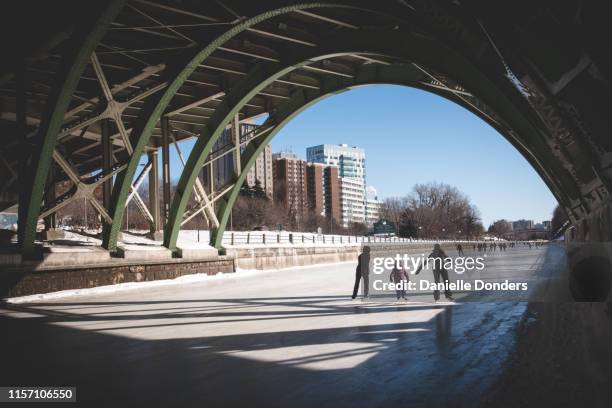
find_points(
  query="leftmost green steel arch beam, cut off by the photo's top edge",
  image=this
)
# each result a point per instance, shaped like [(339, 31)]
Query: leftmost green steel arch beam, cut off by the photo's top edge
[(86, 37)]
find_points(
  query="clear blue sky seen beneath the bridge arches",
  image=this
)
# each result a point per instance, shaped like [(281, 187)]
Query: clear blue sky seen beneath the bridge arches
[(411, 136)]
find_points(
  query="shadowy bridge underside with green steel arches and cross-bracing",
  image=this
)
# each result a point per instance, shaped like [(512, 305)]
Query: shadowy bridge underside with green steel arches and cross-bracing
[(89, 106)]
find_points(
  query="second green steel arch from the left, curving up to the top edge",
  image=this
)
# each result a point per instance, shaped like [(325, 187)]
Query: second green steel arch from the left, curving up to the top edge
[(177, 75)]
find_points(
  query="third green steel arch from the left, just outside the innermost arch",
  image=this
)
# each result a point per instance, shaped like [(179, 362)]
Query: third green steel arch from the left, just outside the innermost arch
[(426, 51)]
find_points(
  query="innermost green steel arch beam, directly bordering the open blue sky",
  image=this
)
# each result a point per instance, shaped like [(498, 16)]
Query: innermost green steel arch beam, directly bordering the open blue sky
[(301, 100)]
